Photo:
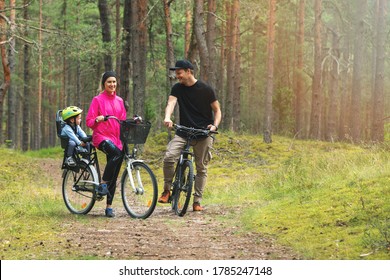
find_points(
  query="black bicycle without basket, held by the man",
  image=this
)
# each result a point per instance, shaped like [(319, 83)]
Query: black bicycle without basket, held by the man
[(183, 181)]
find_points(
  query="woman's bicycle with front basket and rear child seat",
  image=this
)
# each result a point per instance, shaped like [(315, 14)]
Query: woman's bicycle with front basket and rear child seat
[(138, 183)]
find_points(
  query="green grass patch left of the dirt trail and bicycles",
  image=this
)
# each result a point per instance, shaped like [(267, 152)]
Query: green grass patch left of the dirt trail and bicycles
[(29, 209)]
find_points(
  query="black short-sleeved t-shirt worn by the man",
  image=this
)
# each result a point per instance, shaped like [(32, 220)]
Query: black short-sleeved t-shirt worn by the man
[(194, 104)]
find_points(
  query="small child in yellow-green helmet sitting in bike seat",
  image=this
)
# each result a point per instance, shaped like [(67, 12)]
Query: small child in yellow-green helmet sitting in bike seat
[(72, 116)]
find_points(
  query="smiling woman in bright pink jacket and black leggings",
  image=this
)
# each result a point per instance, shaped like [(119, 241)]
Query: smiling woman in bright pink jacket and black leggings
[(106, 134)]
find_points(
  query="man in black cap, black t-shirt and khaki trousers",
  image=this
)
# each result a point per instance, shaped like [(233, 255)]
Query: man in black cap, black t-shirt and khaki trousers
[(198, 108)]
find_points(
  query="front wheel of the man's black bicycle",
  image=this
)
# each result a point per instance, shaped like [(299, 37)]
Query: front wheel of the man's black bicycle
[(184, 182)]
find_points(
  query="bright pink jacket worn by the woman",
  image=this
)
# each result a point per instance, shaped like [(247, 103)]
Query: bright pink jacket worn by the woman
[(105, 104)]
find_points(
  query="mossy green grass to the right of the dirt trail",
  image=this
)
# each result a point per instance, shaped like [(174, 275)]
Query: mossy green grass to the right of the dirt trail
[(325, 200)]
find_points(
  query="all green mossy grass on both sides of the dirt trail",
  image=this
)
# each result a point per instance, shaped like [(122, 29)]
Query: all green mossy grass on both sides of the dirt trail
[(325, 200)]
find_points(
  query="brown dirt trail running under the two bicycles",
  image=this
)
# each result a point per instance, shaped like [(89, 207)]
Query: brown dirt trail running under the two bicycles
[(165, 236)]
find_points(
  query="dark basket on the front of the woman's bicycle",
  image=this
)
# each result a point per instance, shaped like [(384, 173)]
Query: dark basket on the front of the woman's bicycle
[(134, 133)]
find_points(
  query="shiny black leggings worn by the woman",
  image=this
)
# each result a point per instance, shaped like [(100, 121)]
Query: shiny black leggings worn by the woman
[(114, 161)]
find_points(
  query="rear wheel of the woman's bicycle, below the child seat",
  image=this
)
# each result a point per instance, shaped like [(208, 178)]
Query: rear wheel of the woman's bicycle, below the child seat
[(78, 188)]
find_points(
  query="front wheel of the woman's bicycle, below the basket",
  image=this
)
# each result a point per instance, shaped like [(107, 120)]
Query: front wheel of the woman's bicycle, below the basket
[(139, 190)]
